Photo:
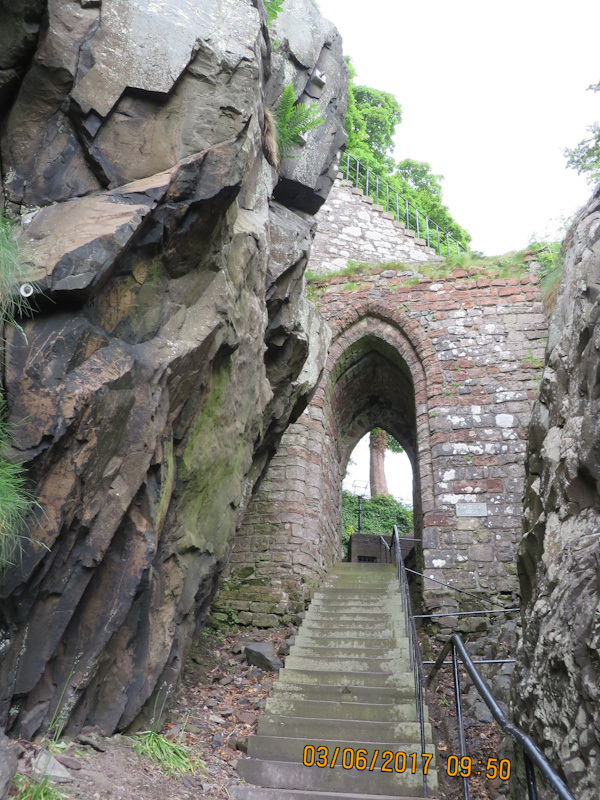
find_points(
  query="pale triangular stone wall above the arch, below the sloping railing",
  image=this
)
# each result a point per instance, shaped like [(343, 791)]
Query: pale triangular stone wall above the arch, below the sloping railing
[(352, 227)]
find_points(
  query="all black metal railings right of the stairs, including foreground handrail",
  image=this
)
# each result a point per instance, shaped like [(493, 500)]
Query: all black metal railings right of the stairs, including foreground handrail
[(532, 755)]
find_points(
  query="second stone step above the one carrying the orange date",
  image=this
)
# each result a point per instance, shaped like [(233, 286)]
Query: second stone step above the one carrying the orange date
[(341, 710)]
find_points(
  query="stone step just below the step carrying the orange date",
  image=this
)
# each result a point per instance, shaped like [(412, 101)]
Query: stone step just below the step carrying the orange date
[(285, 775)]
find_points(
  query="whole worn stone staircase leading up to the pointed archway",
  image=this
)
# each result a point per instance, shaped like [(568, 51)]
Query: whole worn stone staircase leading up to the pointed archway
[(347, 684)]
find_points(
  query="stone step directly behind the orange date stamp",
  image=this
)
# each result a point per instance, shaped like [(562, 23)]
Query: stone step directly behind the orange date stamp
[(288, 749)]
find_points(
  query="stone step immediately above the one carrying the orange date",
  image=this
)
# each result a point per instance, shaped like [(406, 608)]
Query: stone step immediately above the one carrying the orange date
[(354, 730)]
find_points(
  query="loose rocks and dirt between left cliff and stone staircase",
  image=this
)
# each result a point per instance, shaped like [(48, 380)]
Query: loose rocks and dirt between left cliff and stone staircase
[(216, 709)]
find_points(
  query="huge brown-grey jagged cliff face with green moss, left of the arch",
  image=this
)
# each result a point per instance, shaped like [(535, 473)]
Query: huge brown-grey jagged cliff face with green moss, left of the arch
[(172, 345)]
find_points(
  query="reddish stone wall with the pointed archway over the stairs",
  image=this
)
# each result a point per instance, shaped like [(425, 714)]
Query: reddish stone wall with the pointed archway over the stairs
[(450, 368)]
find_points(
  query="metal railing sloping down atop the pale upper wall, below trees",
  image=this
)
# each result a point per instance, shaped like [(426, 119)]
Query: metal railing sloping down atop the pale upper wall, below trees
[(403, 210)]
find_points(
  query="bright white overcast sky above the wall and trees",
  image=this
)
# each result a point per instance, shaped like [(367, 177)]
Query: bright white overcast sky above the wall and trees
[(491, 94)]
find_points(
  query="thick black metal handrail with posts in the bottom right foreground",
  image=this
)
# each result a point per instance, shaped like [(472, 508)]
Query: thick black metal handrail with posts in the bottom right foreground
[(532, 754)]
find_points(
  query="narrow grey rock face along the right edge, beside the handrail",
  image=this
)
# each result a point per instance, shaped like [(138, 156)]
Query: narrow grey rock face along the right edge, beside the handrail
[(557, 693)]
